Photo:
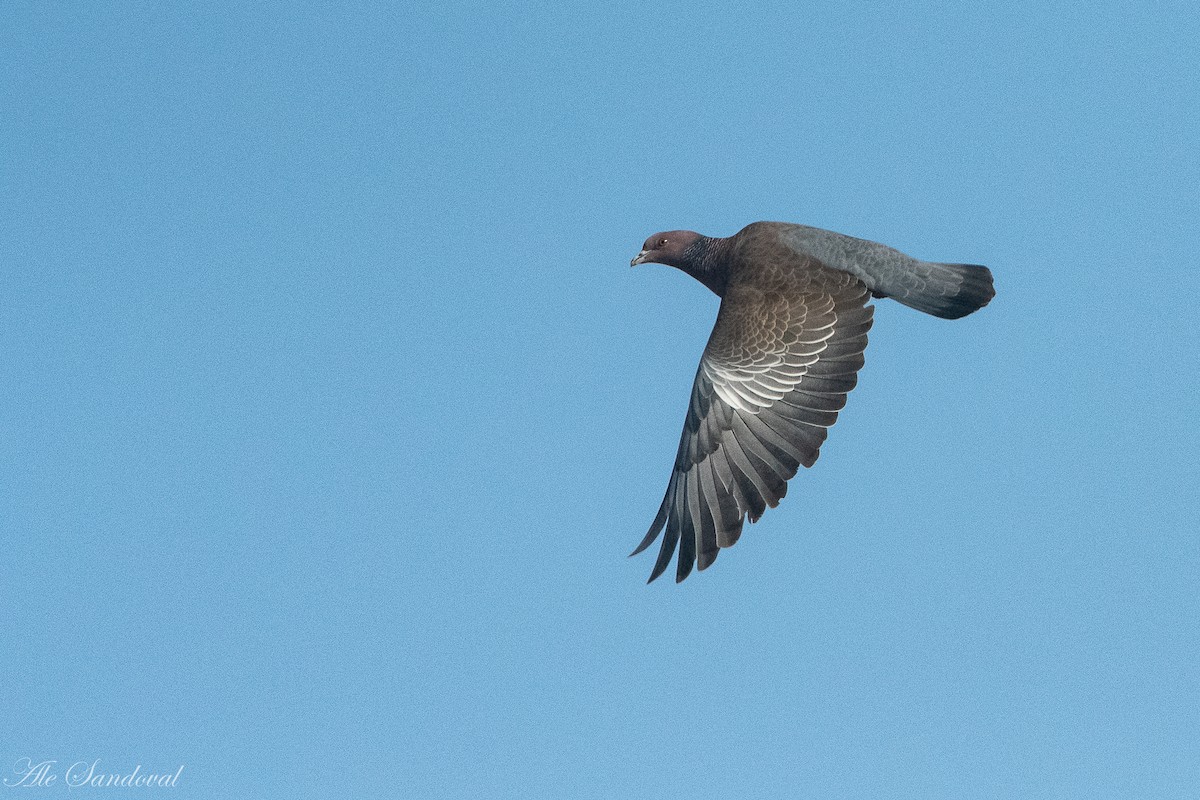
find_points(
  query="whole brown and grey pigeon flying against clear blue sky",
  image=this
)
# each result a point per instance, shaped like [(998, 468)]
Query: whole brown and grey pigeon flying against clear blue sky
[(785, 351)]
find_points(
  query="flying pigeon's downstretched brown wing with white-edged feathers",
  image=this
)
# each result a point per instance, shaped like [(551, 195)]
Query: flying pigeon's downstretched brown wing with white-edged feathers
[(773, 377)]
